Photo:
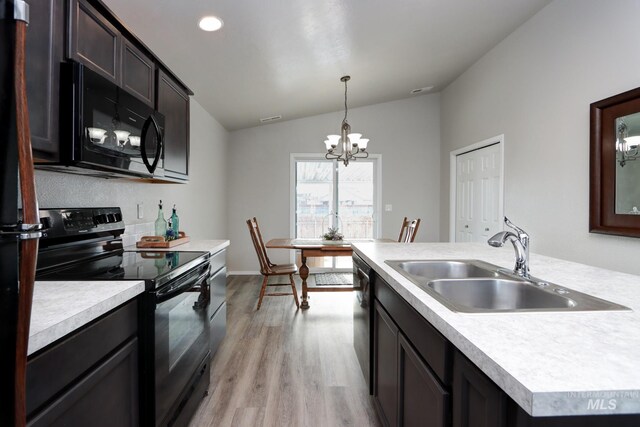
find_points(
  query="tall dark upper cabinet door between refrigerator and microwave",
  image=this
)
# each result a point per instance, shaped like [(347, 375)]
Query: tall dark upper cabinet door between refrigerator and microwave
[(45, 50)]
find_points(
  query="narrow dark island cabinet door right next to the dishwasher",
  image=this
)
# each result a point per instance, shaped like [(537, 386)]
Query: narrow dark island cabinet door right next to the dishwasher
[(385, 361)]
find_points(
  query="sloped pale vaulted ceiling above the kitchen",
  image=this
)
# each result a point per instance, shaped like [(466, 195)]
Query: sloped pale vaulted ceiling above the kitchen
[(278, 57)]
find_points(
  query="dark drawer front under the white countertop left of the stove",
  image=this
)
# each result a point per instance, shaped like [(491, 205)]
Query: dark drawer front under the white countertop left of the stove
[(57, 366)]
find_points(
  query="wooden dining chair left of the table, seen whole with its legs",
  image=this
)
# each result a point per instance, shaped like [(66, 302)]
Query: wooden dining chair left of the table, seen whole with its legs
[(267, 268)]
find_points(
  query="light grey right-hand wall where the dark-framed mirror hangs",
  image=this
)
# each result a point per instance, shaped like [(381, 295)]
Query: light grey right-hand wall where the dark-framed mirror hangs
[(536, 87)]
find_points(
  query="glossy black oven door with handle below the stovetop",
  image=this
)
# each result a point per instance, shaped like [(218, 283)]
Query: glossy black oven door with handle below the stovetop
[(181, 337)]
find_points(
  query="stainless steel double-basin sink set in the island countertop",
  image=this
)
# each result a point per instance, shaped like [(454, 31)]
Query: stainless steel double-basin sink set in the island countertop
[(473, 286)]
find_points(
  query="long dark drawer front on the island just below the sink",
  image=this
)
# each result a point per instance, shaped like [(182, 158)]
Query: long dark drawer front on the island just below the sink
[(434, 348)]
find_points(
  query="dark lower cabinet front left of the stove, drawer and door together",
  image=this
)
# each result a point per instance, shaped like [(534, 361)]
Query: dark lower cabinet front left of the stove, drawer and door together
[(89, 378)]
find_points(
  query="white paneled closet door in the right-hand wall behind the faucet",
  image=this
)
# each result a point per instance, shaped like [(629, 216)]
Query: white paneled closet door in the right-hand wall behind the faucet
[(478, 191)]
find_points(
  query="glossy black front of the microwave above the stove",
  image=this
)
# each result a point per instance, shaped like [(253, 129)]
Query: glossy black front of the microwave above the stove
[(115, 129)]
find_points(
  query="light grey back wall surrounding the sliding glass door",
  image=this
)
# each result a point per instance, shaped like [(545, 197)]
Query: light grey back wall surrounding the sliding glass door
[(406, 133)]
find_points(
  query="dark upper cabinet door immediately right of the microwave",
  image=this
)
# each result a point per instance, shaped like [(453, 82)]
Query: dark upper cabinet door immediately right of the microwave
[(173, 102)]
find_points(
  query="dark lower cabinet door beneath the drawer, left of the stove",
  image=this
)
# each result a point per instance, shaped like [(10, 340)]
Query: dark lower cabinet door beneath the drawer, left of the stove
[(106, 396)]
